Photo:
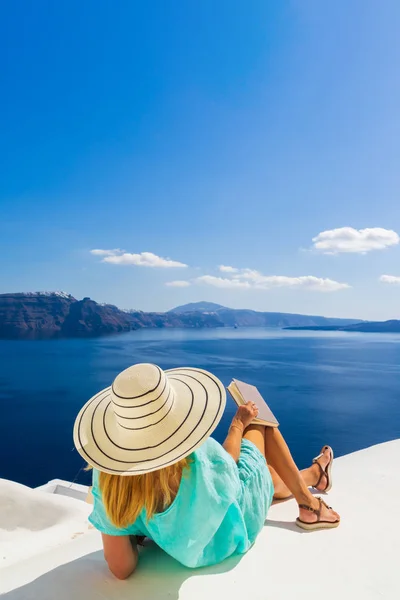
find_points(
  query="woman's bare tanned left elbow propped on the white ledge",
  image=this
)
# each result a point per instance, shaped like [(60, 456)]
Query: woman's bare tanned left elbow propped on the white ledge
[(121, 554)]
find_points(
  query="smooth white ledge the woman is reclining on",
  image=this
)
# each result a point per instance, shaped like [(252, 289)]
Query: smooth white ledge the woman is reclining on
[(48, 551)]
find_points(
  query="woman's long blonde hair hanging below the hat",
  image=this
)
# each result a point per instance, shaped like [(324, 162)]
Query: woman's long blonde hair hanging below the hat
[(125, 496)]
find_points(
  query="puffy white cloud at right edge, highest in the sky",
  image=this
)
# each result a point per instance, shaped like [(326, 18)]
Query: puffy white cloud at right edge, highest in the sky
[(361, 241)]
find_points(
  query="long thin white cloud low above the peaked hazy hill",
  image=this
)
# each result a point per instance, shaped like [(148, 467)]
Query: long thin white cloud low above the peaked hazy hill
[(250, 279)]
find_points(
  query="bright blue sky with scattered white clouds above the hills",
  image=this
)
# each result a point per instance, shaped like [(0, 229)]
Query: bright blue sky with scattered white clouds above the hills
[(245, 153)]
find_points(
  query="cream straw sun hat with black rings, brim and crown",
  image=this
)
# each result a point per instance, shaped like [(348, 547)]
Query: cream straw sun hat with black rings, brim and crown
[(148, 419)]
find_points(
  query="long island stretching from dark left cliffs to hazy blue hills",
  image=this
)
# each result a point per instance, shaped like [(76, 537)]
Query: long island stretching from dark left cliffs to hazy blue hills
[(49, 315)]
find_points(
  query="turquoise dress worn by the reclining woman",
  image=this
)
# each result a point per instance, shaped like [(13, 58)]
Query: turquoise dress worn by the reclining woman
[(219, 509)]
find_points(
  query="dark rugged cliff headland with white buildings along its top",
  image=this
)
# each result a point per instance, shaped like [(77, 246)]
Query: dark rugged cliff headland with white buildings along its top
[(46, 315)]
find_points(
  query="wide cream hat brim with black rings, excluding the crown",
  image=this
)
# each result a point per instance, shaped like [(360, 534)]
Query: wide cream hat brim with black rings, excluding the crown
[(192, 414)]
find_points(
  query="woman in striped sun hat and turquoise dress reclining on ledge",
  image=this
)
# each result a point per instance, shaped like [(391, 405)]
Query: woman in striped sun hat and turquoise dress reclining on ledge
[(158, 473)]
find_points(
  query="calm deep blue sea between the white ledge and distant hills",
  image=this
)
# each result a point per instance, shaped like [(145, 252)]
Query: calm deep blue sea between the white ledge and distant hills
[(341, 389)]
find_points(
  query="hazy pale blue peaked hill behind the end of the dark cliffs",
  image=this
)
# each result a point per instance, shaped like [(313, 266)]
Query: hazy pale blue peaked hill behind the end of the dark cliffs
[(232, 317)]
